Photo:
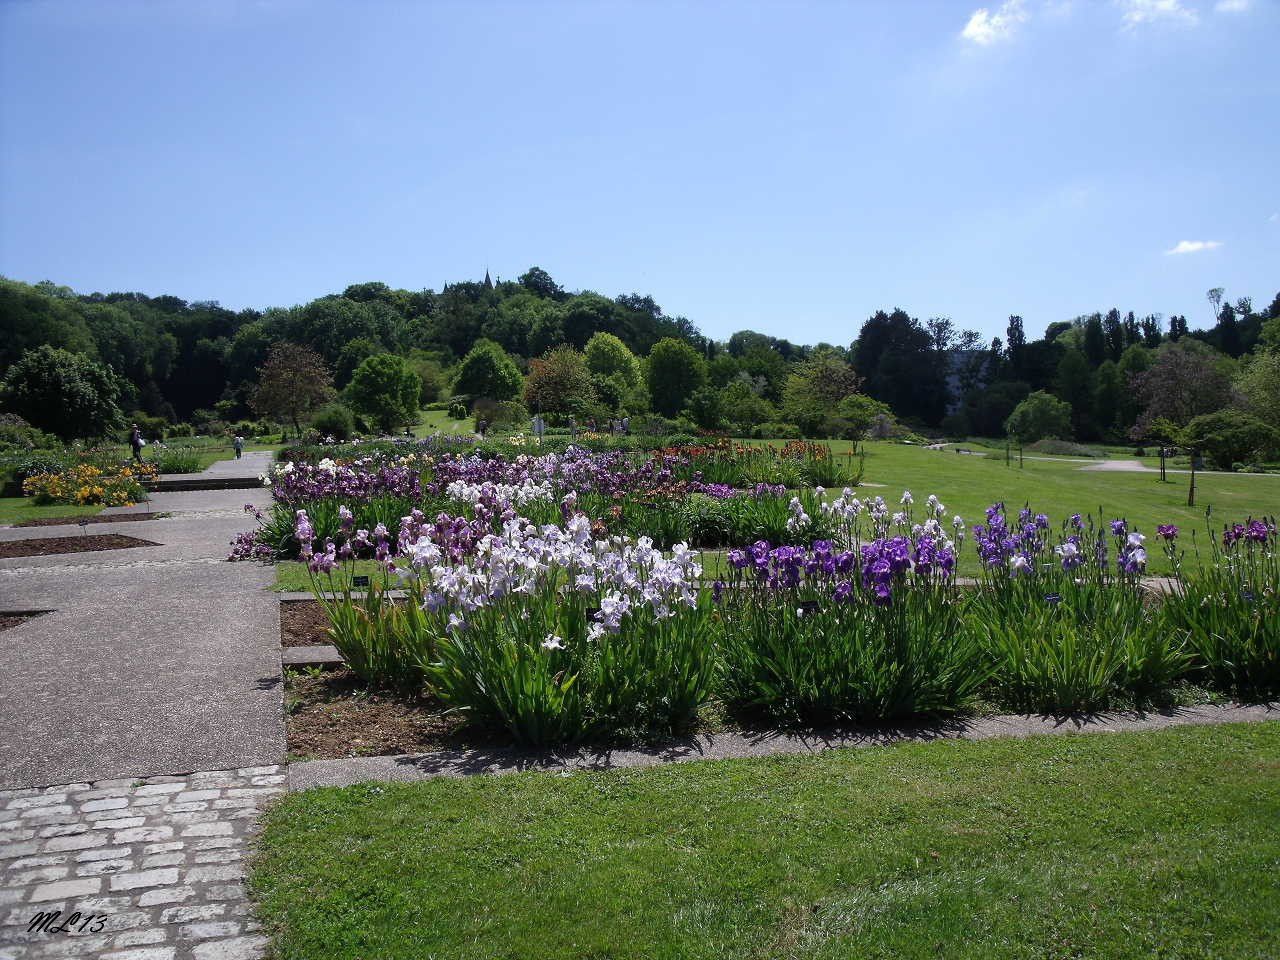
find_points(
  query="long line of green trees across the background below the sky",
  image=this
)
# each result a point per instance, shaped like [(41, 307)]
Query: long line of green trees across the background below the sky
[(531, 346)]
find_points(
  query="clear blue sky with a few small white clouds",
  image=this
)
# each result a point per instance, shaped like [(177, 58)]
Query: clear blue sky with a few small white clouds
[(788, 168)]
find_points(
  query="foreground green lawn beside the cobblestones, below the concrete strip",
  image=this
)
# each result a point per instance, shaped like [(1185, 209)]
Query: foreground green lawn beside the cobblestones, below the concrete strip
[(1127, 845)]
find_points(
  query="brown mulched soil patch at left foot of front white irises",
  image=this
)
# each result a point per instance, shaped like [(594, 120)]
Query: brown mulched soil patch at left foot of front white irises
[(333, 715)]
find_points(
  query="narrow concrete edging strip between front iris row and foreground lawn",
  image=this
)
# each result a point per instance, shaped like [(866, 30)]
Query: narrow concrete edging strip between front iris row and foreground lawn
[(717, 747)]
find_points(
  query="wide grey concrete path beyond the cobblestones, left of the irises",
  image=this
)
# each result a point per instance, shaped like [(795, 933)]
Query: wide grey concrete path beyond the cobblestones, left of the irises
[(154, 661)]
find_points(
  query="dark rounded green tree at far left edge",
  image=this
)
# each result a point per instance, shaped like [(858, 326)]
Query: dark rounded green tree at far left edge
[(65, 394)]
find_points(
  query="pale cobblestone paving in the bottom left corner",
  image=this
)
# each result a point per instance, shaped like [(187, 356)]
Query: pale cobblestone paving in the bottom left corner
[(171, 885)]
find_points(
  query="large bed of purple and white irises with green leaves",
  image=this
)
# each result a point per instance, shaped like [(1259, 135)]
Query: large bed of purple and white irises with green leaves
[(557, 598)]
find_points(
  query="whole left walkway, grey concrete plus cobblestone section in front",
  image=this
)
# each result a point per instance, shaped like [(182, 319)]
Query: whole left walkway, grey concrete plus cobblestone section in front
[(150, 698)]
